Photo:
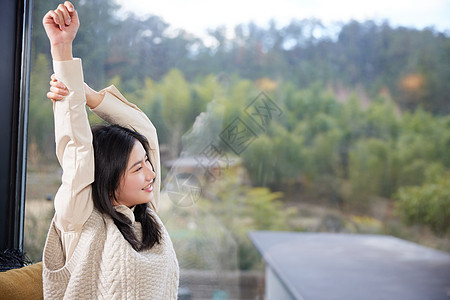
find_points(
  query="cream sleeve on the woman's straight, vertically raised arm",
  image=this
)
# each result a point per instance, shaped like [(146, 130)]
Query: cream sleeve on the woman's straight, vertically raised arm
[(74, 150)]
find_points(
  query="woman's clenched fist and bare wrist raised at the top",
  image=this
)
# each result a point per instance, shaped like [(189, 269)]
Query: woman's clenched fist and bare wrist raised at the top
[(61, 26)]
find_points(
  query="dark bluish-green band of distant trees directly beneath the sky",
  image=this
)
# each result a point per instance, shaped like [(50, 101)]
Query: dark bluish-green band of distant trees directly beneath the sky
[(408, 63)]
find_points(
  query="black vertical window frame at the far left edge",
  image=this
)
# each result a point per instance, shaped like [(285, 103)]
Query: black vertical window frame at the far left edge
[(15, 57)]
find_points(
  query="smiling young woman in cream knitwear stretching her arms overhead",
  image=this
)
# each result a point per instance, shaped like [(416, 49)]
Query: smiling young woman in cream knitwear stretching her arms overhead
[(105, 240)]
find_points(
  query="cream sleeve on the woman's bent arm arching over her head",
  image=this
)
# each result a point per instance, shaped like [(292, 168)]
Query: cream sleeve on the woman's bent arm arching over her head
[(115, 109)]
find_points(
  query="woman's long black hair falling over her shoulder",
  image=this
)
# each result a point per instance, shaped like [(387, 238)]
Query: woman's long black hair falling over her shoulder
[(112, 148)]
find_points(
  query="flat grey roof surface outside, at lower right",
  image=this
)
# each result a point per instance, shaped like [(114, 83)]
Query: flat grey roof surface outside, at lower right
[(354, 266)]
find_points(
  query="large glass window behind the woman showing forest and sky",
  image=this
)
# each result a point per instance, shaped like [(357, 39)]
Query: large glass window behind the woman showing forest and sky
[(270, 116)]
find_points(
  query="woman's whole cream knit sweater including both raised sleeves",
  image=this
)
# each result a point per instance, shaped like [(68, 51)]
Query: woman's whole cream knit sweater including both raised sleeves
[(85, 255)]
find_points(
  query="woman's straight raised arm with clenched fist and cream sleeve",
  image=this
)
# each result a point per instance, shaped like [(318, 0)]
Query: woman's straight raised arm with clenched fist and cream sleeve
[(73, 137)]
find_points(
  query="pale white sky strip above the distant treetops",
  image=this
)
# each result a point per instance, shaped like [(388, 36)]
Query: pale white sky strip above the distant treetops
[(196, 15)]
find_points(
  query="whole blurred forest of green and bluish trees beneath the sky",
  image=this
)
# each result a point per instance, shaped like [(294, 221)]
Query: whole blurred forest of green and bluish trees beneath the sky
[(361, 111)]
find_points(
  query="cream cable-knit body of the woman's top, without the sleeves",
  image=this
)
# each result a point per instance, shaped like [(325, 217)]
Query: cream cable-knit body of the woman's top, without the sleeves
[(105, 266)]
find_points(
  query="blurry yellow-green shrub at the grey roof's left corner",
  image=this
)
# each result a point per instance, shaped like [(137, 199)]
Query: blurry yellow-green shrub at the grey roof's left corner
[(241, 209)]
